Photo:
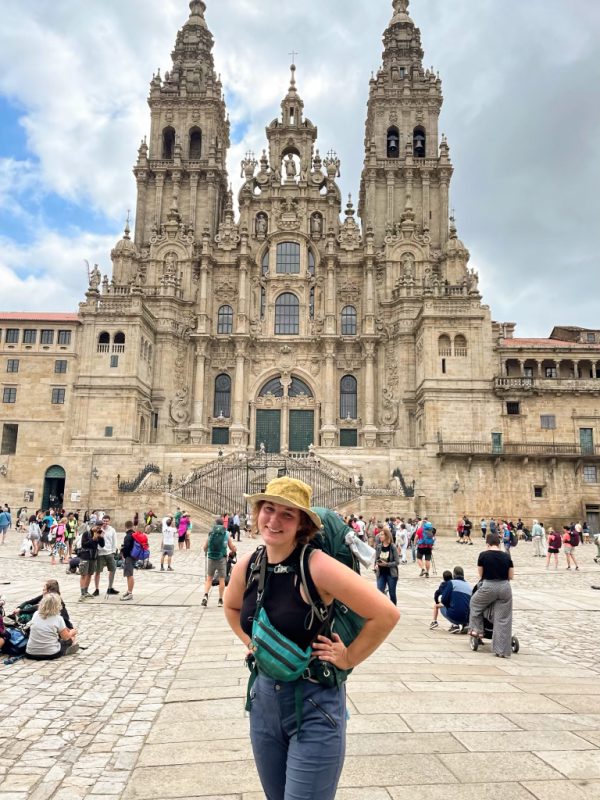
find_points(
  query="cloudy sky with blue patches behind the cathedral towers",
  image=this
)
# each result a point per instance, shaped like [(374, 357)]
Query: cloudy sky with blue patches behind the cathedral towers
[(521, 114)]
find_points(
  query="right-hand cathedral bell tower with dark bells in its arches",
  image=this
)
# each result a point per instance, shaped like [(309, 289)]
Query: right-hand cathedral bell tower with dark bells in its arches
[(407, 170)]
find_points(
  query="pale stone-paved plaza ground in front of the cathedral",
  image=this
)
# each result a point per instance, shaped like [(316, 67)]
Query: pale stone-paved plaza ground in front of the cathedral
[(153, 709)]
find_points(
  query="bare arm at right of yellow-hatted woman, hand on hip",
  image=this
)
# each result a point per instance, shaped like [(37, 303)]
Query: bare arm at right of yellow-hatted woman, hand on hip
[(334, 580)]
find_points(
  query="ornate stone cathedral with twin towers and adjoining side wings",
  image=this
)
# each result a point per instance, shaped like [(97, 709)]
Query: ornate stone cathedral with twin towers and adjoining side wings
[(301, 327)]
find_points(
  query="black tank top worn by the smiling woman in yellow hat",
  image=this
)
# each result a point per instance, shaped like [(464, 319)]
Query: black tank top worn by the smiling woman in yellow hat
[(283, 603)]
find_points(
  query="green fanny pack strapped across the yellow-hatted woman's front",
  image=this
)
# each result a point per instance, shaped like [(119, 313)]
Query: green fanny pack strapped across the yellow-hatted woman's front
[(275, 655)]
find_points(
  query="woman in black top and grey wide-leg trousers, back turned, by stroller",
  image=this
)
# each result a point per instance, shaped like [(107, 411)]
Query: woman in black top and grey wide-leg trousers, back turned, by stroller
[(496, 570)]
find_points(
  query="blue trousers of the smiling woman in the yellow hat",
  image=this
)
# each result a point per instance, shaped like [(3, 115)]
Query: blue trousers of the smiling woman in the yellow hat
[(293, 767)]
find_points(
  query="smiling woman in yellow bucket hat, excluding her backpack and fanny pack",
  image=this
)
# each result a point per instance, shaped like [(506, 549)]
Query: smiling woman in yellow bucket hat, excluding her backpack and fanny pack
[(298, 728)]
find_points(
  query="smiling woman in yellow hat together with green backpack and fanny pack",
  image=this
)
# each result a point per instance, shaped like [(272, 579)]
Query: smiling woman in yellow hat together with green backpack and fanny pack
[(281, 602)]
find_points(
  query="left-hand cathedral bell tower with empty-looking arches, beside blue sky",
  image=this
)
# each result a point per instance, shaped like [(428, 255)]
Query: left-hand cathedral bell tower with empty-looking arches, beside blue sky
[(181, 173)]
